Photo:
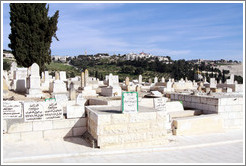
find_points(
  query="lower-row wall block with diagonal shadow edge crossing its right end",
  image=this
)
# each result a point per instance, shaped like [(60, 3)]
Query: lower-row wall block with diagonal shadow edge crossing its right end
[(57, 133)]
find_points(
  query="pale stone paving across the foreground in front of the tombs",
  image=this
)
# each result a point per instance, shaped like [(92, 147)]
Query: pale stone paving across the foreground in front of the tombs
[(227, 147)]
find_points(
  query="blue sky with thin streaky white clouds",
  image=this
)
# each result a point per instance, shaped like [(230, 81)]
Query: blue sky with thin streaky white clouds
[(179, 30)]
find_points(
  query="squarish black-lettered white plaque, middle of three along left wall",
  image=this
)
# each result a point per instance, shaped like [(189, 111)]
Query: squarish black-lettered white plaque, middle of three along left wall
[(33, 111)]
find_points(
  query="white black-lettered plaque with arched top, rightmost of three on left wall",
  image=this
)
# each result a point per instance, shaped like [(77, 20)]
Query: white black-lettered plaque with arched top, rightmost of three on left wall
[(53, 111)]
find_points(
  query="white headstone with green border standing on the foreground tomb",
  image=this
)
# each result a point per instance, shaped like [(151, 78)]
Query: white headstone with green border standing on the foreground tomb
[(129, 102)]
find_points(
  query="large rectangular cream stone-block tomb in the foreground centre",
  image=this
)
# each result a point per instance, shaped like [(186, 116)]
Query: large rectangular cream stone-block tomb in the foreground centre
[(113, 129)]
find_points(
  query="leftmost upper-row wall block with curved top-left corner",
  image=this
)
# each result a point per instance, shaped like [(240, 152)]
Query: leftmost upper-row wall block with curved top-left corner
[(20, 127)]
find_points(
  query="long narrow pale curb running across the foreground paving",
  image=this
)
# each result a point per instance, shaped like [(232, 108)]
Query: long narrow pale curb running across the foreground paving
[(111, 152)]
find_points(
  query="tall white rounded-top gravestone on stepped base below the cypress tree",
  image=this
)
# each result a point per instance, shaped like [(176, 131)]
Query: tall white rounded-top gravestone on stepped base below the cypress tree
[(33, 82)]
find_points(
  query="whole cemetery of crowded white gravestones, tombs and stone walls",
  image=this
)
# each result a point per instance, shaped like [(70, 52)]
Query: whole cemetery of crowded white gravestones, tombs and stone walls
[(115, 114)]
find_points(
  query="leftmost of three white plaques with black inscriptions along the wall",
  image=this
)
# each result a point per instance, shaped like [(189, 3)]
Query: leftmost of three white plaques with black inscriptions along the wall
[(12, 110)]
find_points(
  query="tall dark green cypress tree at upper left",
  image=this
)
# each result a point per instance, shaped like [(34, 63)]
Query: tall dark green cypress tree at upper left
[(31, 33)]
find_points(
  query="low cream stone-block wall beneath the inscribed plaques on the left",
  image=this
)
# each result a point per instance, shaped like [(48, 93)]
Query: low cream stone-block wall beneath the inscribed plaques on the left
[(55, 129)]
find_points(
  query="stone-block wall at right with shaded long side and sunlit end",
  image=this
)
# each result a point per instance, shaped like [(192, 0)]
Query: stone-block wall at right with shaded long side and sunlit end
[(229, 107)]
